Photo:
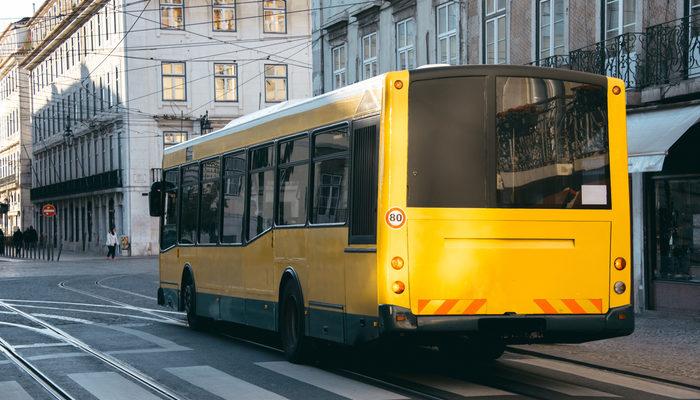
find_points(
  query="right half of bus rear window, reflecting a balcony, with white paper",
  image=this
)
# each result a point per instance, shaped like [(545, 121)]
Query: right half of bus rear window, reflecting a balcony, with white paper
[(551, 144)]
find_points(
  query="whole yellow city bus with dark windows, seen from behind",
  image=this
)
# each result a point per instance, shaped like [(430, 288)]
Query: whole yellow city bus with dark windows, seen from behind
[(467, 207)]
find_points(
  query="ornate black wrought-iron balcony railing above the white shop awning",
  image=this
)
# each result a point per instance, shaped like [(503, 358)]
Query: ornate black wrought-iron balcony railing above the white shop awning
[(665, 53)]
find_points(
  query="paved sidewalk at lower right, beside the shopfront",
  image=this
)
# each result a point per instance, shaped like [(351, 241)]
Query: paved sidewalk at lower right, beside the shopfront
[(663, 345)]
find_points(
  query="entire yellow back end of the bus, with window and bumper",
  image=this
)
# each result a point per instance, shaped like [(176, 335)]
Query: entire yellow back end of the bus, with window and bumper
[(504, 208)]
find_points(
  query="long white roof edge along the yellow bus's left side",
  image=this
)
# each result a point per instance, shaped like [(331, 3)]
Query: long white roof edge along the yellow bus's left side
[(285, 109)]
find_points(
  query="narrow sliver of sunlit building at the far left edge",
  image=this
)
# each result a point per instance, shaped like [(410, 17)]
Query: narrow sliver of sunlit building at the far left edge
[(15, 132)]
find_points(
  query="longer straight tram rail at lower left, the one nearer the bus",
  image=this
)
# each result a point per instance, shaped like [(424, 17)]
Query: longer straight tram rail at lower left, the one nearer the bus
[(113, 362)]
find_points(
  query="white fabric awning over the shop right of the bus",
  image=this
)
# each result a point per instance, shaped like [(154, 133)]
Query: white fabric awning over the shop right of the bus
[(651, 133)]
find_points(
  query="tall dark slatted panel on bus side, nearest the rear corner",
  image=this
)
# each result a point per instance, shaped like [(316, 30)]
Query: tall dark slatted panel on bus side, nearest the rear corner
[(363, 215)]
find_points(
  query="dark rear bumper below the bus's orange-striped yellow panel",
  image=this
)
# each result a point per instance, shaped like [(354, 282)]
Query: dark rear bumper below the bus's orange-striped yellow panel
[(513, 328)]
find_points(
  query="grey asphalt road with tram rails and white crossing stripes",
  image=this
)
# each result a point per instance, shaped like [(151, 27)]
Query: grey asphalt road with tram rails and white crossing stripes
[(92, 330)]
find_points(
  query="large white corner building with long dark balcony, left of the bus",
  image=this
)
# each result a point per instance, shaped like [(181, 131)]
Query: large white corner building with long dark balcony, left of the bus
[(113, 82)]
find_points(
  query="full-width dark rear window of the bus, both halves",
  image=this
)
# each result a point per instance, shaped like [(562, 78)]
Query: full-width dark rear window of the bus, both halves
[(550, 148)]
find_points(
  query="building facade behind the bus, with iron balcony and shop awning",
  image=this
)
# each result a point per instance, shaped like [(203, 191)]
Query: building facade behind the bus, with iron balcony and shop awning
[(653, 45)]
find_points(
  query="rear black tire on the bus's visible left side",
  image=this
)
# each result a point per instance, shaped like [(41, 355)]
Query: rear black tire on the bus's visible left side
[(296, 347)]
